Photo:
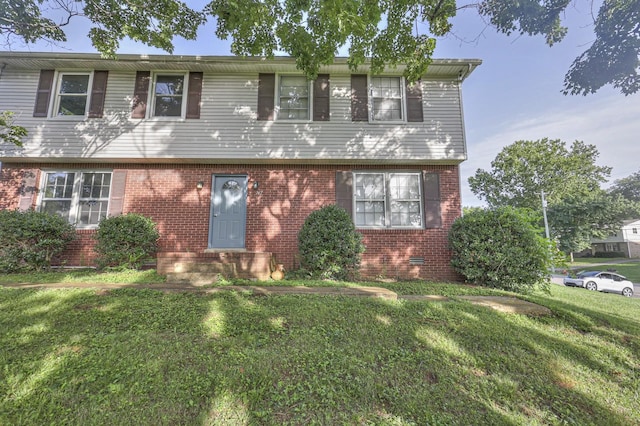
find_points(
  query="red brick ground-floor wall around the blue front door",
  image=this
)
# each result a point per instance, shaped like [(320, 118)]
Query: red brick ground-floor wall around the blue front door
[(275, 212)]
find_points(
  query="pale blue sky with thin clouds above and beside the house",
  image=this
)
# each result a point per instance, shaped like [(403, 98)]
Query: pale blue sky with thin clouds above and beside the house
[(514, 95)]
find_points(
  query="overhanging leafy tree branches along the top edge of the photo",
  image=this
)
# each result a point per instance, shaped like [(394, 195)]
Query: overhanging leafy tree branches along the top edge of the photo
[(386, 32)]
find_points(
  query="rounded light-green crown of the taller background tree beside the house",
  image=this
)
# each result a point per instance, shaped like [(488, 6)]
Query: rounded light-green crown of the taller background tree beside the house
[(522, 170)]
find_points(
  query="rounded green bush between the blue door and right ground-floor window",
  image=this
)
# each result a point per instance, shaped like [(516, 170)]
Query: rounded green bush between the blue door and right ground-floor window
[(329, 245)]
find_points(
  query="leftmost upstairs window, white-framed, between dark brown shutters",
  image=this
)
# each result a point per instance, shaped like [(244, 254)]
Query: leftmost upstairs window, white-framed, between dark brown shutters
[(72, 94)]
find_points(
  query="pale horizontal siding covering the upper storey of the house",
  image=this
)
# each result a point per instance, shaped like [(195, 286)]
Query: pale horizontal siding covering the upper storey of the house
[(228, 130)]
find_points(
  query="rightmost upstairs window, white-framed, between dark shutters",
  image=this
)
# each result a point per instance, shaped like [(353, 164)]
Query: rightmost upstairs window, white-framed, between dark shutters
[(387, 99)]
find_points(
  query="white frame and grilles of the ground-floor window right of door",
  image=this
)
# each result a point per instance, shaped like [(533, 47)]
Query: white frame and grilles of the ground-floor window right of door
[(388, 198)]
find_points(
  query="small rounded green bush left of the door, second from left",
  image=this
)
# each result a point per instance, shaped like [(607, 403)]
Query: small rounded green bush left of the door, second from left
[(126, 241)]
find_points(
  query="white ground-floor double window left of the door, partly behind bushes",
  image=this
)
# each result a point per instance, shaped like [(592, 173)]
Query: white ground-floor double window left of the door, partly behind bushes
[(80, 198)]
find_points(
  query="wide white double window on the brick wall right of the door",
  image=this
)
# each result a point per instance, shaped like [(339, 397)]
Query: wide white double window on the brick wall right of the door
[(388, 200)]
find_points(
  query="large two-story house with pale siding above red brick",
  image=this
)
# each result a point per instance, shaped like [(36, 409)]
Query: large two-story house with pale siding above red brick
[(229, 155)]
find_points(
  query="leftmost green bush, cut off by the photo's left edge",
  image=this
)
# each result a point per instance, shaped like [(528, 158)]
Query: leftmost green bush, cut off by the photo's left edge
[(29, 240)]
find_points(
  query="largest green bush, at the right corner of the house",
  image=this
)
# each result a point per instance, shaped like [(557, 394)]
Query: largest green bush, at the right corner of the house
[(501, 248)]
